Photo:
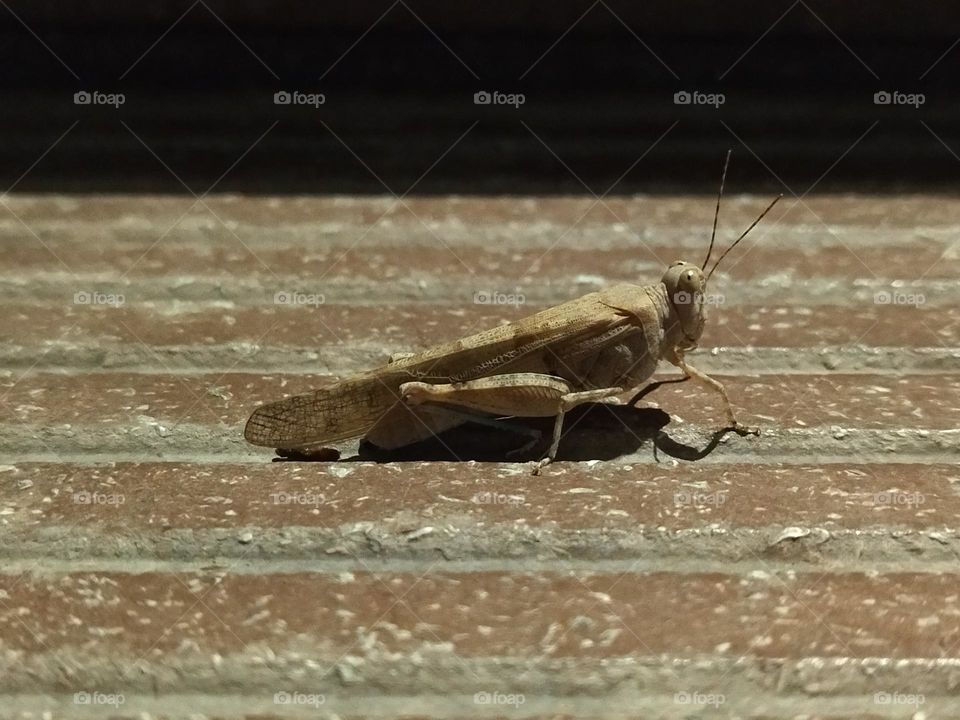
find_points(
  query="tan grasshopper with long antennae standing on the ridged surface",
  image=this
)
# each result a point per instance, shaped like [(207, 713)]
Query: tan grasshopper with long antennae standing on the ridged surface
[(591, 349)]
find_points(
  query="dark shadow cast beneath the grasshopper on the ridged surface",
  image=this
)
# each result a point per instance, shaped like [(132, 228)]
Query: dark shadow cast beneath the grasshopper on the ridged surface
[(594, 431)]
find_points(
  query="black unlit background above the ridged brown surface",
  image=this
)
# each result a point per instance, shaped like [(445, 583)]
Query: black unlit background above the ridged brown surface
[(399, 78)]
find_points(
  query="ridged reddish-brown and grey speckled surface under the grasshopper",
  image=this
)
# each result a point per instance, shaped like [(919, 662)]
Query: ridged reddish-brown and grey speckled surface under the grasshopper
[(155, 561)]
